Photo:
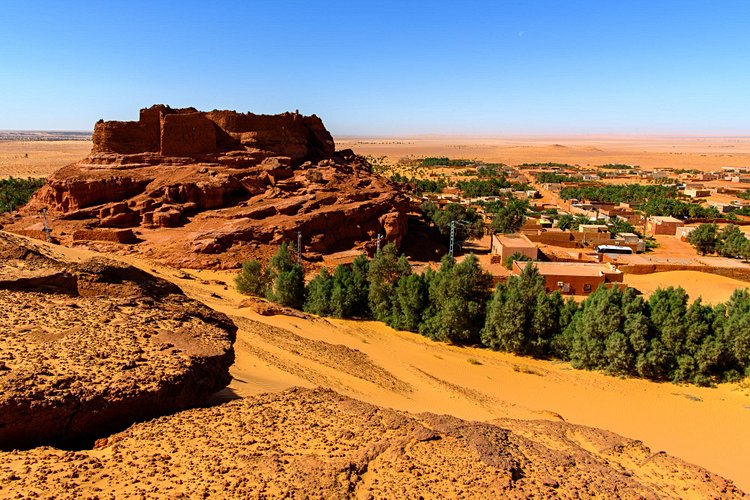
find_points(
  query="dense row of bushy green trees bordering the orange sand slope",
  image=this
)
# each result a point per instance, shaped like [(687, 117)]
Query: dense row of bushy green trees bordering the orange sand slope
[(663, 338)]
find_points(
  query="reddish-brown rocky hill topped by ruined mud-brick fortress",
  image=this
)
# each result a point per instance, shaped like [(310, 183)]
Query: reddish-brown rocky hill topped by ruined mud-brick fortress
[(232, 178)]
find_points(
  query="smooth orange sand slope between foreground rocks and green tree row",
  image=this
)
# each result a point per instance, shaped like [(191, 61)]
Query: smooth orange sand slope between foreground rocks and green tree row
[(705, 426)]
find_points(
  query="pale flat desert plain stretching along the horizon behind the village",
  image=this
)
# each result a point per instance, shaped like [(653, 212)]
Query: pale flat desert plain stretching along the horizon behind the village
[(706, 153)]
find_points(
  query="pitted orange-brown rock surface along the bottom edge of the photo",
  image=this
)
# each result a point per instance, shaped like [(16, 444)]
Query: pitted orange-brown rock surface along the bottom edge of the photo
[(316, 443)]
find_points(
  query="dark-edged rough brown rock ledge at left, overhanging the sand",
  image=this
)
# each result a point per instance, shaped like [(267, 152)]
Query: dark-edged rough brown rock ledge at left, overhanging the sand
[(87, 348)]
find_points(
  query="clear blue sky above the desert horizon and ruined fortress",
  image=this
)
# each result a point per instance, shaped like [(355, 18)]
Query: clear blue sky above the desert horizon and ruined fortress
[(385, 68)]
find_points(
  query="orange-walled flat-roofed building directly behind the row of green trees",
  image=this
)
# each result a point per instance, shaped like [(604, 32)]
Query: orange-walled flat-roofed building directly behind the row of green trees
[(574, 278)]
